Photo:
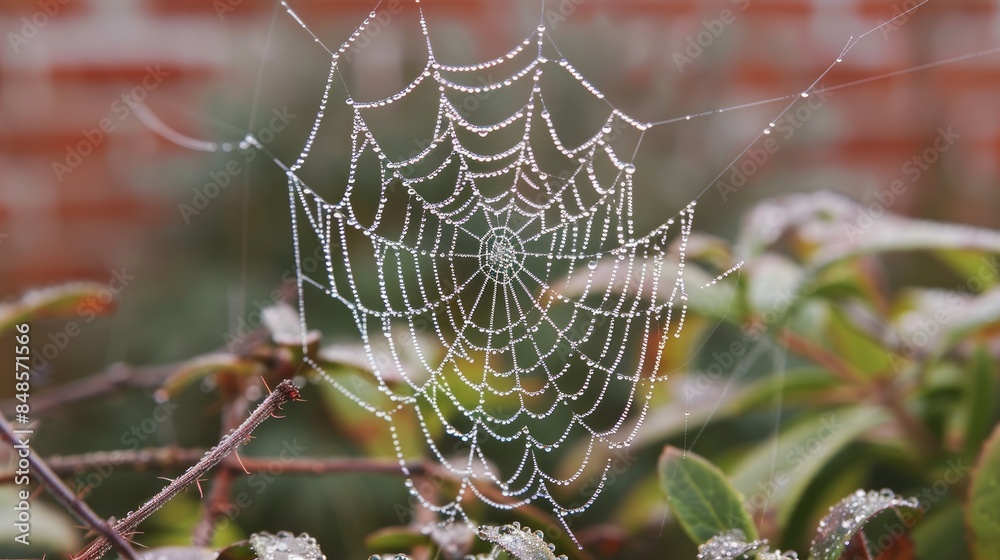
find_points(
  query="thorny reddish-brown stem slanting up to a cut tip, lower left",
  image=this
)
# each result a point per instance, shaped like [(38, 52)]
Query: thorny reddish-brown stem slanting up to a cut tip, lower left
[(284, 392)]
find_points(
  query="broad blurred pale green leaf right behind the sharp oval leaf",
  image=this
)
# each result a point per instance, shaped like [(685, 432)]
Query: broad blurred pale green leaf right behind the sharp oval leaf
[(777, 476)]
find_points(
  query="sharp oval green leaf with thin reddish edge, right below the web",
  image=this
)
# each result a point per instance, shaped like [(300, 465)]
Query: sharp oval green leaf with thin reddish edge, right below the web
[(701, 497)]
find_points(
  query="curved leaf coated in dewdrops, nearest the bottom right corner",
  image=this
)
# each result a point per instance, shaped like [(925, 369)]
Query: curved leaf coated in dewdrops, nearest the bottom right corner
[(850, 516)]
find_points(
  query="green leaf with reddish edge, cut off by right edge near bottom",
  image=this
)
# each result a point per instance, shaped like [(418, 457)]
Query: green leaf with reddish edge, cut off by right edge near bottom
[(982, 513)]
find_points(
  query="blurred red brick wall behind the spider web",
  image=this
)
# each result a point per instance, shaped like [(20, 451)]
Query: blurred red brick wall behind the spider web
[(65, 74)]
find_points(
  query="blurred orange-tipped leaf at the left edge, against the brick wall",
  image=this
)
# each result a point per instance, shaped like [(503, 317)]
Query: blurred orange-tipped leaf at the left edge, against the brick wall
[(81, 298)]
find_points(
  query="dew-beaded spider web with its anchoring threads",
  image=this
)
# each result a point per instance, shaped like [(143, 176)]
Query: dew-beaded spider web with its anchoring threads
[(540, 294)]
